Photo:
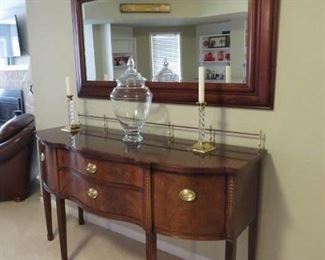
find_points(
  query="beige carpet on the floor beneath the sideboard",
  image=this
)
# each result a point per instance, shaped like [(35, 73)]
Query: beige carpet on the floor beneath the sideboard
[(23, 237)]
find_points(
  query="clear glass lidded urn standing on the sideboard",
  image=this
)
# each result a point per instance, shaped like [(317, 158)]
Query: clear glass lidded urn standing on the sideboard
[(131, 101)]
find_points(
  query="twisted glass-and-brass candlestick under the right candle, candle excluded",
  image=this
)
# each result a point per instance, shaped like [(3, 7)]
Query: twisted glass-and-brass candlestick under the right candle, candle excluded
[(202, 146)]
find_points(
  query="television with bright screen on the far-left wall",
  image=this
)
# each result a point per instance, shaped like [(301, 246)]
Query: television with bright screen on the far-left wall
[(9, 38)]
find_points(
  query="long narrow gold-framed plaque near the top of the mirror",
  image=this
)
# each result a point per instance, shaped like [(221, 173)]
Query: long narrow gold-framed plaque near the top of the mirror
[(145, 8)]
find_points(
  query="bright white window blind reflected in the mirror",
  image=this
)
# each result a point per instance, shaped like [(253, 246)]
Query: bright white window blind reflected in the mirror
[(165, 46)]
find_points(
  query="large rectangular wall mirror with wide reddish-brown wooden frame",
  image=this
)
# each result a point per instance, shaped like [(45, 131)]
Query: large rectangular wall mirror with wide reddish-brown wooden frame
[(235, 41)]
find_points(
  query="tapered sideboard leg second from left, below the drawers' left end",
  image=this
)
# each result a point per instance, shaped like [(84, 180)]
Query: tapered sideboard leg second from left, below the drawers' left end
[(60, 207)]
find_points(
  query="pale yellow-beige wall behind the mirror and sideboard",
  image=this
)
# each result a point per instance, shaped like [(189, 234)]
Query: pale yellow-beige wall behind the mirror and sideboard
[(292, 202)]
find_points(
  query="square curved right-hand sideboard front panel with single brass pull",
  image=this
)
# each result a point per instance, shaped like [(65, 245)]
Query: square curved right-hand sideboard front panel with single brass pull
[(189, 206)]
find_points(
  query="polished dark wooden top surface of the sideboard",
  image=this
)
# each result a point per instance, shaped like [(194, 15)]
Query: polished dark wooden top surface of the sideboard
[(155, 151)]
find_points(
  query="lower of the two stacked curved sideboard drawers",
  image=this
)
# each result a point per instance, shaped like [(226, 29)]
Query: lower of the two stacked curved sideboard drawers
[(109, 200)]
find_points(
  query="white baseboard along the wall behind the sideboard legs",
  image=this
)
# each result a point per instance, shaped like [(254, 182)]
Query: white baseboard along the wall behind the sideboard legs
[(133, 234)]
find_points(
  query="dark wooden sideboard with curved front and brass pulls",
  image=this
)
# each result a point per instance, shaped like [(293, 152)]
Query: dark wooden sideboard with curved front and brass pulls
[(160, 186)]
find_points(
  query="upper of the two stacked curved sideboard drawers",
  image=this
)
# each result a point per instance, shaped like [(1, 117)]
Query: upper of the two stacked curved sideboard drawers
[(101, 170)]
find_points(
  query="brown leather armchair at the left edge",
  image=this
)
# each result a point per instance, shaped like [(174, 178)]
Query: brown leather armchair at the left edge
[(16, 148)]
